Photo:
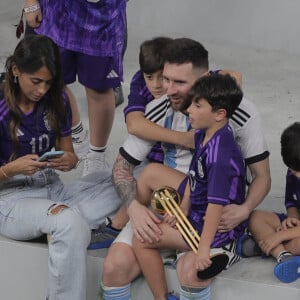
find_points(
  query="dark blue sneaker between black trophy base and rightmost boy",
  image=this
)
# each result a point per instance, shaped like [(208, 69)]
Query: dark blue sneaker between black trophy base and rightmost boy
[(247, 246)]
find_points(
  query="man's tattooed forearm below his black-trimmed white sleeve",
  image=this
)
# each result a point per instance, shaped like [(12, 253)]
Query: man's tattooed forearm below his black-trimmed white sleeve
[(123, 180)]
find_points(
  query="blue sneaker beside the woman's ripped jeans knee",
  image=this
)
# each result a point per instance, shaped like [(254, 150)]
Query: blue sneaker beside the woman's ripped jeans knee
[(103, 236)]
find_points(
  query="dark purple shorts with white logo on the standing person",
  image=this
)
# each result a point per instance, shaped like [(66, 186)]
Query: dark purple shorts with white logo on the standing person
[(95, 72)]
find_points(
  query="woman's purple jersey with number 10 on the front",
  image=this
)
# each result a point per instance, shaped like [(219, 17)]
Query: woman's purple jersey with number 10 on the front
[(34, 134)]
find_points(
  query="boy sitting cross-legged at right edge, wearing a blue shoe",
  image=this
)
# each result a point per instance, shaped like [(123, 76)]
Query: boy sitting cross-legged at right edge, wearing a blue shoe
[(277, 234)]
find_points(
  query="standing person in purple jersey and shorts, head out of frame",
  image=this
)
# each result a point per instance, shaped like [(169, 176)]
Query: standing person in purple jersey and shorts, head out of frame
[(90, 34)]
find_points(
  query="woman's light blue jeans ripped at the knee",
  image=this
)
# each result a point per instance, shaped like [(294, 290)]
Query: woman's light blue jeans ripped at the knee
[(25, 202)]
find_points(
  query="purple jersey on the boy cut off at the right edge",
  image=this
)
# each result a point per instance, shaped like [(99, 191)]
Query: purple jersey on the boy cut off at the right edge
[(292, 191)]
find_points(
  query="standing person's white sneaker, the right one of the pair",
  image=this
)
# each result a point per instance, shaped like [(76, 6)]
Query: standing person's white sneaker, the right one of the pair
[(94, 162)]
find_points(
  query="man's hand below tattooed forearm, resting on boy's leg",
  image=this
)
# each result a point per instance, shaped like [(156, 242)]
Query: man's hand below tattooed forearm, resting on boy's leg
[(143, 222)]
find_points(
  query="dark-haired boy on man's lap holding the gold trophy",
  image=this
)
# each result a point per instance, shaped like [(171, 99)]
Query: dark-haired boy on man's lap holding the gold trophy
[(216, 178)]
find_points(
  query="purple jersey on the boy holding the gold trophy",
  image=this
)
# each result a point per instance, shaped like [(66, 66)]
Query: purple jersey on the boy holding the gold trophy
[(216, 175)]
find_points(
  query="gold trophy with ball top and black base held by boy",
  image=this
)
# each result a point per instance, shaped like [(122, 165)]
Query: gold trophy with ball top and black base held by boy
[(167, 200)]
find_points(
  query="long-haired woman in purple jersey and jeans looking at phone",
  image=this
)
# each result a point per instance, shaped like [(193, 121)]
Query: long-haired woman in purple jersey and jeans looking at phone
[(35, 117)]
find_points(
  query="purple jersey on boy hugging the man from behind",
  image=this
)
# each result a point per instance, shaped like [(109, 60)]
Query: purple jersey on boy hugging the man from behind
[(138, 98)]
